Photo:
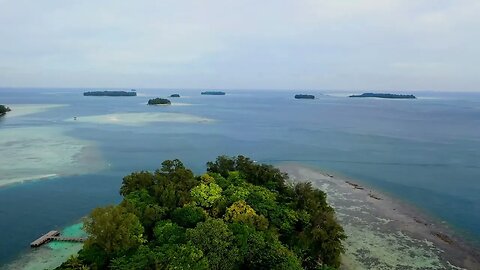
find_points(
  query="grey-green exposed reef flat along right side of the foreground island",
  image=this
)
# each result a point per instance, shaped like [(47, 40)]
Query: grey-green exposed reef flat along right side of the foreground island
[(384, 232)]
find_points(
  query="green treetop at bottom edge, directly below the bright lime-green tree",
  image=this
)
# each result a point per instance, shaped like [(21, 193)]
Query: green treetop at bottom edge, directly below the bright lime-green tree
[(215, 240)]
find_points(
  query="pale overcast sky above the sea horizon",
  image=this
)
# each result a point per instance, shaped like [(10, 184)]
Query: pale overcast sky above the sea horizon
[(394, 45)]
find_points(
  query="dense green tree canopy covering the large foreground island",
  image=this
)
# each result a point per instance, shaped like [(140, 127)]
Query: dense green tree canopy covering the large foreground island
[(238, 215)]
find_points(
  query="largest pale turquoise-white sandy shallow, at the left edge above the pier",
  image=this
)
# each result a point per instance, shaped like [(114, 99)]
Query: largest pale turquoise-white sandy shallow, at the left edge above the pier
[(44, 152)]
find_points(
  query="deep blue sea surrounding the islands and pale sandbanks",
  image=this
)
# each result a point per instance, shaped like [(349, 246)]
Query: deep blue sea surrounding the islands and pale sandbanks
[(424, 151)]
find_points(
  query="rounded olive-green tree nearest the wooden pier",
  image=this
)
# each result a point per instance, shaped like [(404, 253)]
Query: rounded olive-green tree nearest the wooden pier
[(113, 229)]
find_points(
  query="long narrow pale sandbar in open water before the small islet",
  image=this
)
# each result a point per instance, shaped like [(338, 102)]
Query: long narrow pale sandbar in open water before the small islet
[(138, 119)]
